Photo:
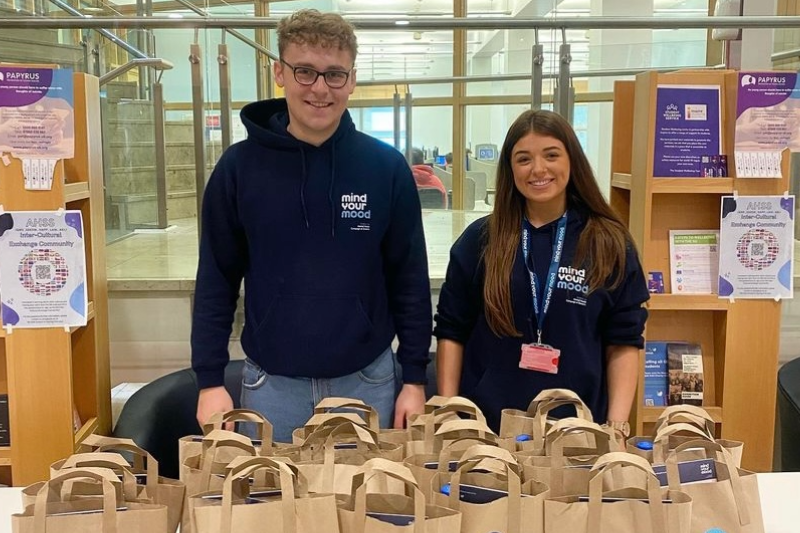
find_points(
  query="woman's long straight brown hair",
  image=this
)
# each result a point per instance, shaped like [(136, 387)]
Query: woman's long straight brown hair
[(602, 245)]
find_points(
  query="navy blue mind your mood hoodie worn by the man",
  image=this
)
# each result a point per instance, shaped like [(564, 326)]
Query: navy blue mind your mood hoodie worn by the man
[(330, 245)]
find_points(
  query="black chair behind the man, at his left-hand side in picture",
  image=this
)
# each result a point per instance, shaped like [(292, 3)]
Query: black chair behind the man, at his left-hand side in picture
[(160, 413)]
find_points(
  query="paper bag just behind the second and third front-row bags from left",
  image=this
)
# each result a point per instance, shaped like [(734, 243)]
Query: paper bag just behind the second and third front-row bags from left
[(331, 456)]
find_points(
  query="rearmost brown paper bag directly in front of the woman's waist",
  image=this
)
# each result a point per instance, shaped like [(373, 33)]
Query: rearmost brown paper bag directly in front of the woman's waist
[(525, 430)]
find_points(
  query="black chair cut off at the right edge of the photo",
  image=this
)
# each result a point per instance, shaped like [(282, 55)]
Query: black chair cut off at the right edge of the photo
[(789, 415)]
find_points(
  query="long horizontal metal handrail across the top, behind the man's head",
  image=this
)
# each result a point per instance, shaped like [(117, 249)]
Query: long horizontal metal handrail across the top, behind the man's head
[(417, 23)]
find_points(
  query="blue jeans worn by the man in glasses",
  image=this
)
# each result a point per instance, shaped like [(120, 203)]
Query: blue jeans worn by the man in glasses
[(288, 402)]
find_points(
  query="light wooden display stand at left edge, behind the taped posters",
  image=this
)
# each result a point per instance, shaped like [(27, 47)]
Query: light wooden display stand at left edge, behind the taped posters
[(51, 373)]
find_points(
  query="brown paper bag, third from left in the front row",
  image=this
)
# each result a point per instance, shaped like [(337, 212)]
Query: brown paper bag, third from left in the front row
[(372, 509)]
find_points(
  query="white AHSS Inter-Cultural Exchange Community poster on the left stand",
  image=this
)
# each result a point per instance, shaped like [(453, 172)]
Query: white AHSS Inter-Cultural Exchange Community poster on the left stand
[(43, 269)]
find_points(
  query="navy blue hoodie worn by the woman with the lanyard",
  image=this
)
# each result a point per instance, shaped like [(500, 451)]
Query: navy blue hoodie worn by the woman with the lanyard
[(580, 326)]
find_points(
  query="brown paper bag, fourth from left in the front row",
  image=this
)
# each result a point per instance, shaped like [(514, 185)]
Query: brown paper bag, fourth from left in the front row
[(641, 510)]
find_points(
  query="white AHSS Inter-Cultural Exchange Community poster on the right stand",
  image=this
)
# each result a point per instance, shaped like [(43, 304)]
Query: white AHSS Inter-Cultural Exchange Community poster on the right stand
[(756, 247)]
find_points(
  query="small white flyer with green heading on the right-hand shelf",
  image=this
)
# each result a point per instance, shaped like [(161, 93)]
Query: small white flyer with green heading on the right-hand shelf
[(693, 261)]
